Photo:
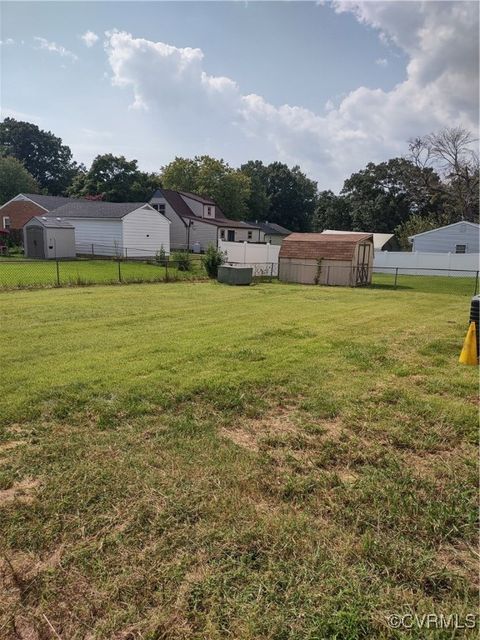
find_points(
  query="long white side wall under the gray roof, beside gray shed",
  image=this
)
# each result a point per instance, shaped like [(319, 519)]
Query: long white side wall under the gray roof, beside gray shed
[(105, 235)]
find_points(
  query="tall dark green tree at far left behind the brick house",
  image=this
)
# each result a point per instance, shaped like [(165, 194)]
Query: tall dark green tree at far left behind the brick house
[(44, 155)]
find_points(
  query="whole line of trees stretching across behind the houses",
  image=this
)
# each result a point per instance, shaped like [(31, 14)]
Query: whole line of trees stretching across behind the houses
[(435, 183)]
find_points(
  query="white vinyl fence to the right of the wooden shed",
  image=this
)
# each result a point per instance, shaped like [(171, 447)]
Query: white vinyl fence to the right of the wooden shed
[(427, 264)]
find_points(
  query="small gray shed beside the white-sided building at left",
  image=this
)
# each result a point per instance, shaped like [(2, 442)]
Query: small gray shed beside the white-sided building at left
[(48, 237)]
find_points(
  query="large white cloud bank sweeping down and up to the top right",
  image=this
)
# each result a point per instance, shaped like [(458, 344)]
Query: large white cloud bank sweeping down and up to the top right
[(441, 89)]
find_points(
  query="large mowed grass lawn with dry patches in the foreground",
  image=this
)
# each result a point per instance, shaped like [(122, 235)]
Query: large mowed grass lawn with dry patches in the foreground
[(200, 461)]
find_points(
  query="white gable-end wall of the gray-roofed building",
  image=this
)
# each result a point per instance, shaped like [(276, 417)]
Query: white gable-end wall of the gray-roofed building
[(145, 231)]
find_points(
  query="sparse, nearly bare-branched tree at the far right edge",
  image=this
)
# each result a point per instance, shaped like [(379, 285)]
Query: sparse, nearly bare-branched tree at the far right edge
[(452, 151)]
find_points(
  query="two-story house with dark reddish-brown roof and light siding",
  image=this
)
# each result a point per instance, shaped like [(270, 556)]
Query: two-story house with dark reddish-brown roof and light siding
[(198, 222)]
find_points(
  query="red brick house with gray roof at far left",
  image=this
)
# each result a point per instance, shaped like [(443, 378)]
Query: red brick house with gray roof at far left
[(17, 211)]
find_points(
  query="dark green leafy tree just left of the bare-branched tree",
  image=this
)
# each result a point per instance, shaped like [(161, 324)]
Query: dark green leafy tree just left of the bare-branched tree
[(382, 196)]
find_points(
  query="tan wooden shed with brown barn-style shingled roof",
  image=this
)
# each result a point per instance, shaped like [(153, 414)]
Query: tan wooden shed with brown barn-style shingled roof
[(343, 259)]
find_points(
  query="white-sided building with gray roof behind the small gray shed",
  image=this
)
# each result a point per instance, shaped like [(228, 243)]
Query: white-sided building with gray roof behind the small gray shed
[(130, 229)]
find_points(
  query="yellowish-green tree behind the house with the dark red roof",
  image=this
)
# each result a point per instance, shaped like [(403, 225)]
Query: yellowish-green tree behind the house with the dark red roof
[(210, 178)]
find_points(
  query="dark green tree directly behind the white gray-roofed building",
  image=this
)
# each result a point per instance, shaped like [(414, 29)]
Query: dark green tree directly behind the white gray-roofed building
[(115, 179)]
